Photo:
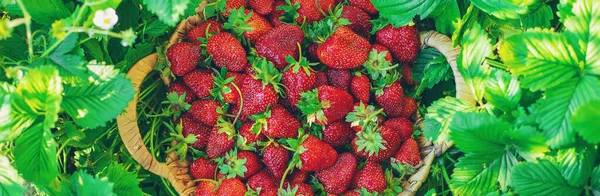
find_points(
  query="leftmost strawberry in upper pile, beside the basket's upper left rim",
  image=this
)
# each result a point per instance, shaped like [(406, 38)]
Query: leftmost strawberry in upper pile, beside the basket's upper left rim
[(184, 57)]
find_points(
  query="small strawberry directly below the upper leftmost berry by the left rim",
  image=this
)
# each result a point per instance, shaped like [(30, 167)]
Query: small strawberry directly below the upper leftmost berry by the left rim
[(200, 82)]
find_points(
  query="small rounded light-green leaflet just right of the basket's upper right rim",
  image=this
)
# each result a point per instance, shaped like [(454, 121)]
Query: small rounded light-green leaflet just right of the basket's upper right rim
[(502, 90)]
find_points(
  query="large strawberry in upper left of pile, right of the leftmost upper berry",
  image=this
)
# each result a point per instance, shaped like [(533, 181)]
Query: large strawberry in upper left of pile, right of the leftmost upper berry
[(227, 52)]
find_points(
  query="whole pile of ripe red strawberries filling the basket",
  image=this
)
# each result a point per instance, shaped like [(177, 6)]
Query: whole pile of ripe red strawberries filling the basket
[(296, 97)]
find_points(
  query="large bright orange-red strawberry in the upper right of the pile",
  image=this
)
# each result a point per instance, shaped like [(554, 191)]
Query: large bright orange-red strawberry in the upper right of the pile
[(344, 49)]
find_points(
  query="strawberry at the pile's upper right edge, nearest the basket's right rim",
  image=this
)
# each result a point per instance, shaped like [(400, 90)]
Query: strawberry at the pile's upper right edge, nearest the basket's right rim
[(403, 41)]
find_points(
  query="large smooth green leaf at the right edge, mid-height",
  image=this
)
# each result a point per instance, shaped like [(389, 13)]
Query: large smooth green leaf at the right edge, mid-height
[(555, 110)]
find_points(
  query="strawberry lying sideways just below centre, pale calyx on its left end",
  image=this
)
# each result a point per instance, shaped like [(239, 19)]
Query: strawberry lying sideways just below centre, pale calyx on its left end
[(276, 122)]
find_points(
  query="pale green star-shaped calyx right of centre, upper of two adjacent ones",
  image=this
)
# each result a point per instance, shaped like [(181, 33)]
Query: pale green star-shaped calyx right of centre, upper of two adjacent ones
[(363, 116)]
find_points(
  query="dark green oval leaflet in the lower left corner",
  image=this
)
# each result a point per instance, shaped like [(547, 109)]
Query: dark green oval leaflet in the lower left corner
[(35, 155)]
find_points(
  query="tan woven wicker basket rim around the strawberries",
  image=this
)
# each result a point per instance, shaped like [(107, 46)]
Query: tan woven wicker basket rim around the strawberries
[(176, 172)]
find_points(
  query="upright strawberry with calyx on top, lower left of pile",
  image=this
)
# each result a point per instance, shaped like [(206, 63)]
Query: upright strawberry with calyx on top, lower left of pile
[(221, 139)]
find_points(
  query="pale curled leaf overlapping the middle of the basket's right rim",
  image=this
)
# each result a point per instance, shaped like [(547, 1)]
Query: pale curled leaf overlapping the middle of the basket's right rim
[(439, 117)]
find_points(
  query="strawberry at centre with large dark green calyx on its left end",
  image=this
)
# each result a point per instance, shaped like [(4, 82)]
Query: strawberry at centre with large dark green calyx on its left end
[(325, 104)]
